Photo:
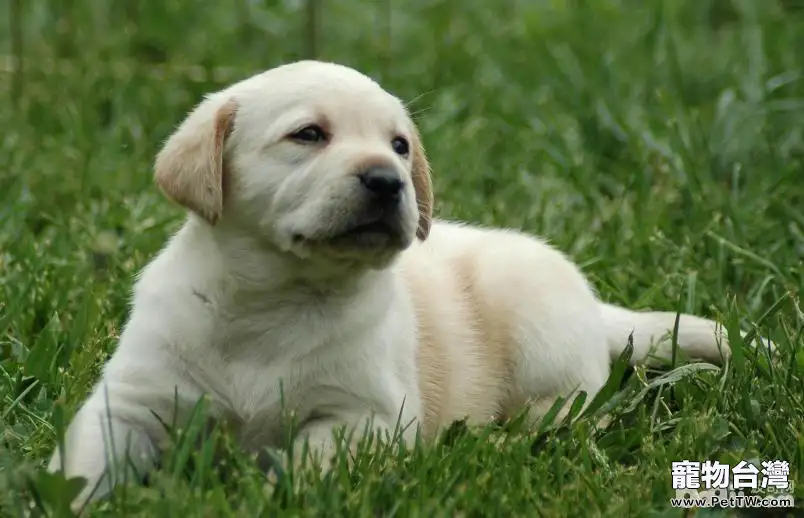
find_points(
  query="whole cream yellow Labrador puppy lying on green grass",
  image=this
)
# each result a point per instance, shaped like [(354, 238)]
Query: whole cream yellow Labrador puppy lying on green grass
[(309, 271)]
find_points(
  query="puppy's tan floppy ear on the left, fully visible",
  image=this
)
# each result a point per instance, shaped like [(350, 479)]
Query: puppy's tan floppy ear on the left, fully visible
[(189, 168)]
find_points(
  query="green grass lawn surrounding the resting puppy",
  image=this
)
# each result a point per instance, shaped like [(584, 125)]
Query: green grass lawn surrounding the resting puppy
[(658, 143)]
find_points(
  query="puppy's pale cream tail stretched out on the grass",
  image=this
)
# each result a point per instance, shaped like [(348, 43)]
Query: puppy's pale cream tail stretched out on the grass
[(653, 331)]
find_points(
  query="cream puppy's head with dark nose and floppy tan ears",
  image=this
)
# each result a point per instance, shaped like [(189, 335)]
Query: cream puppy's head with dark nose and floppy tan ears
[(316, 158)]
